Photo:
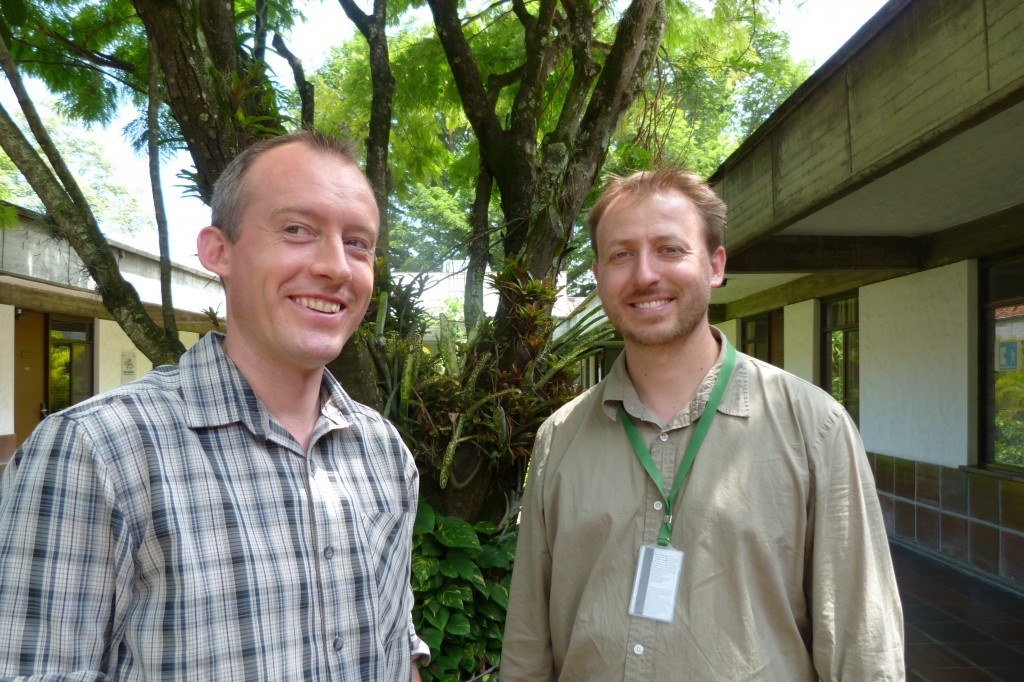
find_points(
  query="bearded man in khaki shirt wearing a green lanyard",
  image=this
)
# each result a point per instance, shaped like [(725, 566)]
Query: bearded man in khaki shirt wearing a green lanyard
[(774, 565)]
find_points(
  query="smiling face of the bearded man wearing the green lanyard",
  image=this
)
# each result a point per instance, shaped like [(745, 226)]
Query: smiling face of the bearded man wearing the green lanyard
[(654, 272)]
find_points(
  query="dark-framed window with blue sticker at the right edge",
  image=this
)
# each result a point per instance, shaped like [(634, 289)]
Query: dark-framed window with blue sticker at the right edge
[(1003, 315)]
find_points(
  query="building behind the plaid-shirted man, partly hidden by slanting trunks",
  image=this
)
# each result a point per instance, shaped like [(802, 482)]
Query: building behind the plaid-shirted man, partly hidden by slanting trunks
[(58, 344)]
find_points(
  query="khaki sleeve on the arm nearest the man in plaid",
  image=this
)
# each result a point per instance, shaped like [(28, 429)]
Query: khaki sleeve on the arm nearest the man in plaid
[(527, 652)]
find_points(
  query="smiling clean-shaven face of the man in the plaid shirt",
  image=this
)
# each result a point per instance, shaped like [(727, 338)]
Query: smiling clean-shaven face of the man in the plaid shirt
[(301, 275)]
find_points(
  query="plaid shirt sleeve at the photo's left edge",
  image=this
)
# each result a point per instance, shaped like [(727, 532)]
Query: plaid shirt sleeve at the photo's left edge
[(66, 563)]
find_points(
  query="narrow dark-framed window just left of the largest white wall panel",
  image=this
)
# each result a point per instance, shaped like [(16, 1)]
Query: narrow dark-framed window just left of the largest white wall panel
[(841, 353)]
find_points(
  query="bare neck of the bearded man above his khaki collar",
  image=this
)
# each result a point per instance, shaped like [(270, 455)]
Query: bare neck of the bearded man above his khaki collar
[(666, 378)]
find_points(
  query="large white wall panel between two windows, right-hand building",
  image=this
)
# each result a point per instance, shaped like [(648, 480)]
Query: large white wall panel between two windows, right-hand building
[(919, 366)]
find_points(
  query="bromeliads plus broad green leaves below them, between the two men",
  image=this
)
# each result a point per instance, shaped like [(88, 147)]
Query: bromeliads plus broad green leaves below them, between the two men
[(470, 411)]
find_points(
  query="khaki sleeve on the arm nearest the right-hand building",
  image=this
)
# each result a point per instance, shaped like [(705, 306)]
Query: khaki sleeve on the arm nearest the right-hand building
[(857, 619)]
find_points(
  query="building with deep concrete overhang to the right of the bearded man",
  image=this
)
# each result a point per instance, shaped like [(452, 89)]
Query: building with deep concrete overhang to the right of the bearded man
[(876, 243)]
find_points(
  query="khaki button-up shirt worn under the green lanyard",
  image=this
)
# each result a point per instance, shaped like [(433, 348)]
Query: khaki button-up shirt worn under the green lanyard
[(787, 572)]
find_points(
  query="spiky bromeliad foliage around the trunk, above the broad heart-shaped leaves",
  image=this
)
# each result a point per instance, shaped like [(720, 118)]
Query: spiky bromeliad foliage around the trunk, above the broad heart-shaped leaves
[(482, 397)]
